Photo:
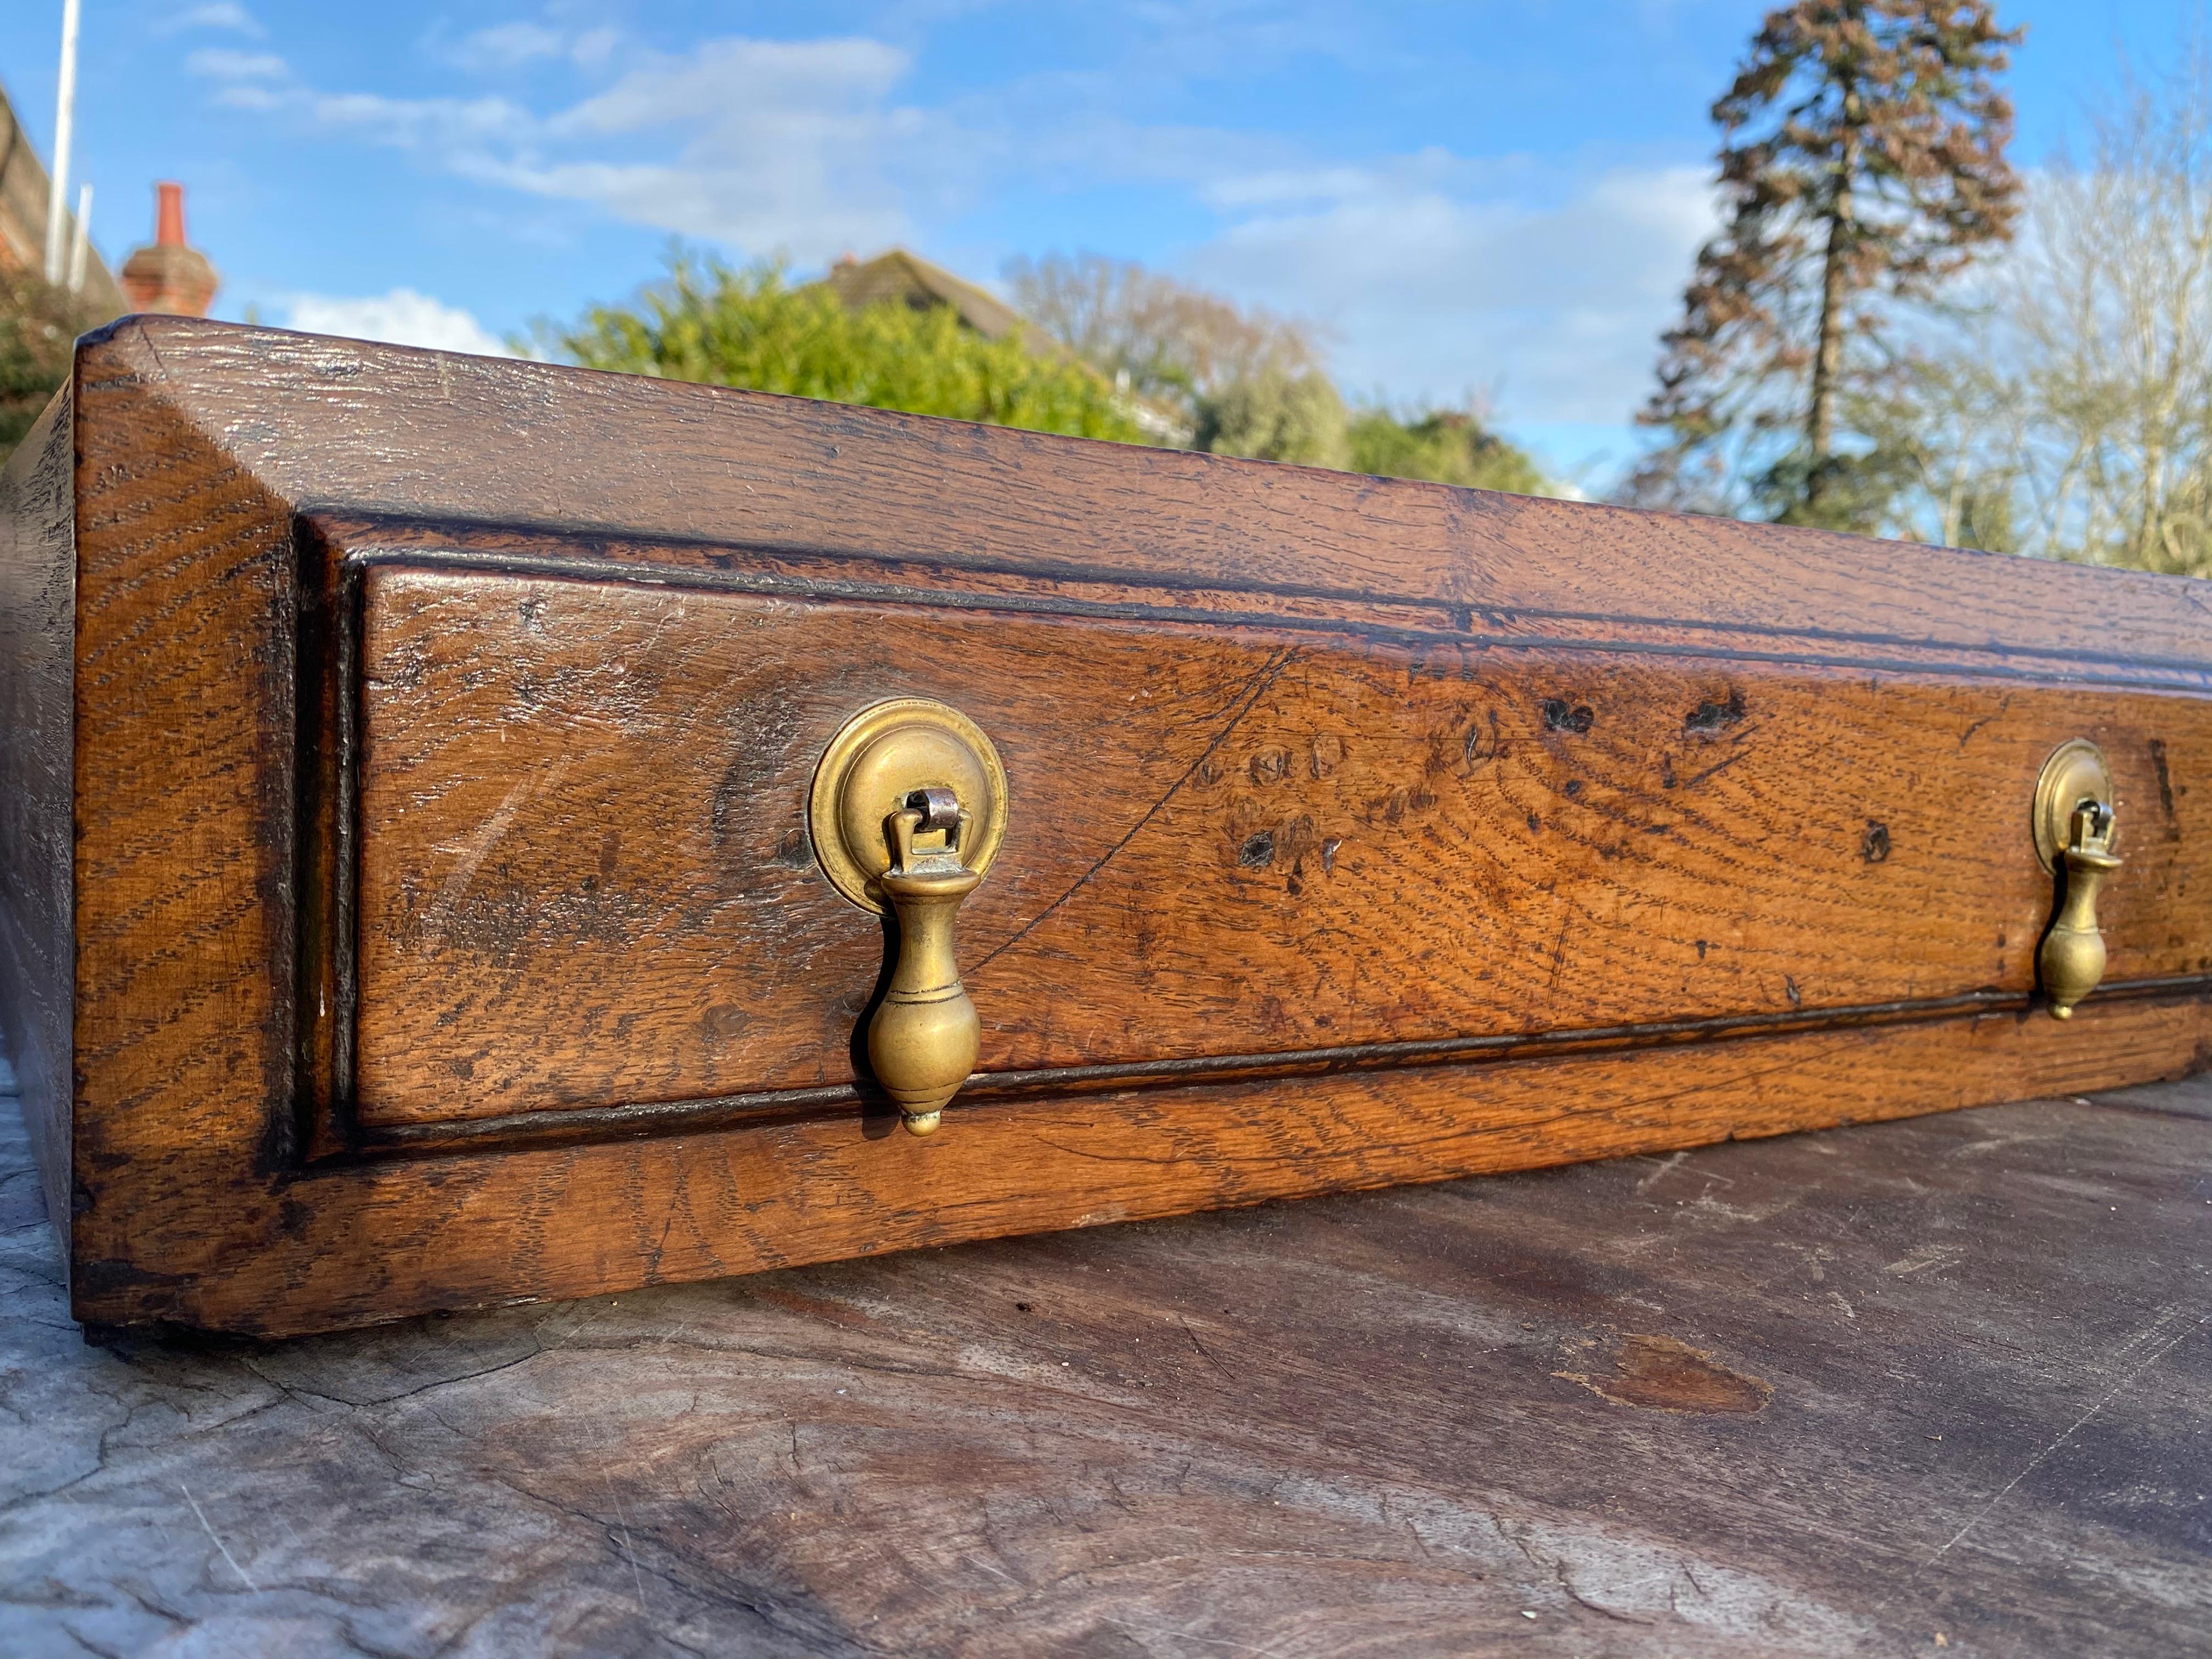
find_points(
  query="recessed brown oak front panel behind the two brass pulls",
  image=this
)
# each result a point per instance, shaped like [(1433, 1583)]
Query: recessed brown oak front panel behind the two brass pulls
[(583, 815)]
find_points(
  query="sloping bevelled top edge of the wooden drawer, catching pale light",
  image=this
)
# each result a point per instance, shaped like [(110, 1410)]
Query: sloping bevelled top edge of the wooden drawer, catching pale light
[(359, 432)]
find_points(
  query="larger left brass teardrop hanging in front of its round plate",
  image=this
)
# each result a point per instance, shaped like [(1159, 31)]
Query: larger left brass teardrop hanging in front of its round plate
[(924, 1039)]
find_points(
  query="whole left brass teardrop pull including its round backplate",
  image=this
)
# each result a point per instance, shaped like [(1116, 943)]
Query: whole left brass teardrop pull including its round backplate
[(908, 811)]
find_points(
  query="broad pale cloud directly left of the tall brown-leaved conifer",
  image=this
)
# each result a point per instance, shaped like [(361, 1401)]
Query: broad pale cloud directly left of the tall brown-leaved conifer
[(1432, 291)]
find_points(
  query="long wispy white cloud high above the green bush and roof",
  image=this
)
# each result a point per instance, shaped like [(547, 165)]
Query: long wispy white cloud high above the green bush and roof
[(764, 145)]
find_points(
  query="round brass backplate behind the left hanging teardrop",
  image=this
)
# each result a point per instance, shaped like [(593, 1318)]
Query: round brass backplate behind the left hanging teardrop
[(875, 764)]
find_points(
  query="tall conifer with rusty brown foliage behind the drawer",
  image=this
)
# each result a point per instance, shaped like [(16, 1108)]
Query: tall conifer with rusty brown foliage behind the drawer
[(1861, 167)]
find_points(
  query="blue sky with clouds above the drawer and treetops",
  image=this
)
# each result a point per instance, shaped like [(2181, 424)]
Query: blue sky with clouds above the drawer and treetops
[(1474, 200)]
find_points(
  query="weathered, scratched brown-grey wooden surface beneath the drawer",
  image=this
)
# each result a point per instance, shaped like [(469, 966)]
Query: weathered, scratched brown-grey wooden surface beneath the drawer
[(1822, 1395)]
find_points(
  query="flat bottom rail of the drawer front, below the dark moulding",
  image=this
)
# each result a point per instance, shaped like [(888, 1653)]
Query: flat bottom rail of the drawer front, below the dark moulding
[(353, 1244)]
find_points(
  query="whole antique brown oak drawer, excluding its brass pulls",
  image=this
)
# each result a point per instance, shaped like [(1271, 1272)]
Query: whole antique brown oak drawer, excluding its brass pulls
[(421, 906)]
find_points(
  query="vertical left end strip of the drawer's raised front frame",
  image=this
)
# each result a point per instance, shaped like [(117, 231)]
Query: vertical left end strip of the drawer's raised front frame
[(187, 862)]
